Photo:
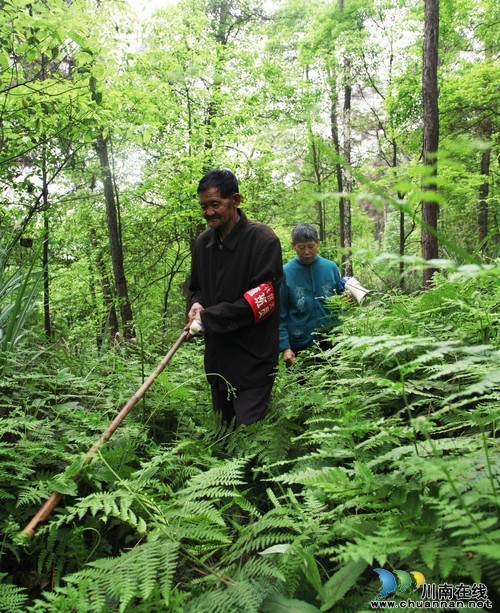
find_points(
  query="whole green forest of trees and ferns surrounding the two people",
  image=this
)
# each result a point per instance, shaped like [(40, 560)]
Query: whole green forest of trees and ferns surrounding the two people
[(376, 122)]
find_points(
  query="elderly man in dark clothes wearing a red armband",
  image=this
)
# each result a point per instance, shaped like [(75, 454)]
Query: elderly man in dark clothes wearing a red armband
[(236, 270)]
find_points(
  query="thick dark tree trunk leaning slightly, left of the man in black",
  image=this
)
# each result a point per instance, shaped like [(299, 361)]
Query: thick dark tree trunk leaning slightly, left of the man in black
[(115, 241)]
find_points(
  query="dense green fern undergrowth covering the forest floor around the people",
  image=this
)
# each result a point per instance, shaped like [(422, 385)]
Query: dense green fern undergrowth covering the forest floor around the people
[(380, 452)]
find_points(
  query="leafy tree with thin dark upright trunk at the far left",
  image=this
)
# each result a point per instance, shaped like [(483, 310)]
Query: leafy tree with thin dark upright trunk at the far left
[(48, 51)]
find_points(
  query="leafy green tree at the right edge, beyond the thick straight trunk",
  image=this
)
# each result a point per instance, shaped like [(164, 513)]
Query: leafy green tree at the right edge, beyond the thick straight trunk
[(469, 111)]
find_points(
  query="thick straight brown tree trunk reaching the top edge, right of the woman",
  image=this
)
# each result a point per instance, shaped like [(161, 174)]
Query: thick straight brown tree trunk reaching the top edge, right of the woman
[(430, 209)]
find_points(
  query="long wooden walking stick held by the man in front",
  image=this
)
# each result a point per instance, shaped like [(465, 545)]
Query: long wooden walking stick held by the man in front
[(55, 497)]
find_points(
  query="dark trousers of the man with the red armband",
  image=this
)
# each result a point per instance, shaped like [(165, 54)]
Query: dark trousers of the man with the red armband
[(248, 406)]
